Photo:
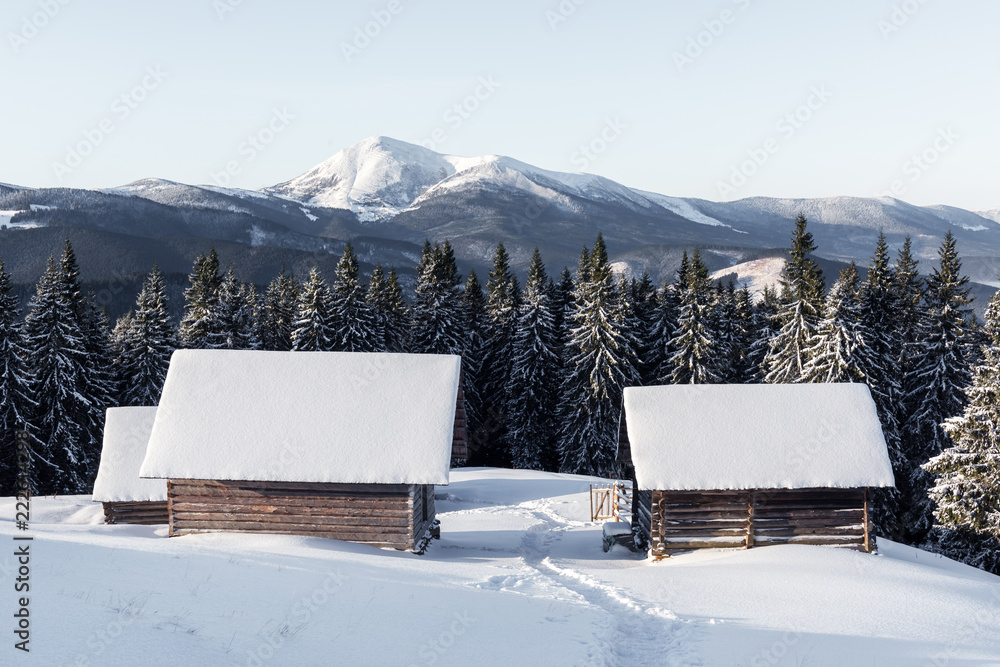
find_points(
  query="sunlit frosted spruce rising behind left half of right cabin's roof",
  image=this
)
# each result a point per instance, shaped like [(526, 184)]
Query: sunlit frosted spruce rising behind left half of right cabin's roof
[(695, 360)]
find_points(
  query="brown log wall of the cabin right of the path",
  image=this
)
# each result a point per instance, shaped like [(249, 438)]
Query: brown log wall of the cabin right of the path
[(684, 520)]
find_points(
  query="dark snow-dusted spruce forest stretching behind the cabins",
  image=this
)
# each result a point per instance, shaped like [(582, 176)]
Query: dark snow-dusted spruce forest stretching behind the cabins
[(545, 364)]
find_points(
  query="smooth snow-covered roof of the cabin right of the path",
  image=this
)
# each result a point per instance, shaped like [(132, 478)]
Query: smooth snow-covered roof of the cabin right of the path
[(704, 437)]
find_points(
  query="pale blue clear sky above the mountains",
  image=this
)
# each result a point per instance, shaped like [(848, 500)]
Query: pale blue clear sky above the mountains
[(683, 98)]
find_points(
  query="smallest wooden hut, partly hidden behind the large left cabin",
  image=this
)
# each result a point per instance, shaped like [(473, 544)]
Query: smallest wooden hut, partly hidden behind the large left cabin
[(127, 498)]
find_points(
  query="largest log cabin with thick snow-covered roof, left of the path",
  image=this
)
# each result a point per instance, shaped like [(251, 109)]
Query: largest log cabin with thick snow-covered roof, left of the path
[(342, 445)]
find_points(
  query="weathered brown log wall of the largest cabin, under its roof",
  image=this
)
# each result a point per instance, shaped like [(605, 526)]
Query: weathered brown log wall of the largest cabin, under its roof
[(384, 515)]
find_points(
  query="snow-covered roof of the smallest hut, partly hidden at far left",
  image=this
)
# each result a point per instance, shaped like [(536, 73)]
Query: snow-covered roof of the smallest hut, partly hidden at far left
[(126, 432)]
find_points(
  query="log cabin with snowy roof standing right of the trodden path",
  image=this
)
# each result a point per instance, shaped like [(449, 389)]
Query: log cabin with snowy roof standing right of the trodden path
[(743, 466)]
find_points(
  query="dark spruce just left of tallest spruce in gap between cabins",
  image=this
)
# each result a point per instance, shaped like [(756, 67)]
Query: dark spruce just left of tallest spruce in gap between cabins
[(534, 376)]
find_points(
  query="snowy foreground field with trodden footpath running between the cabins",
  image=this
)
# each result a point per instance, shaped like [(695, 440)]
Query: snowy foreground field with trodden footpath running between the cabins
[(518, 578)]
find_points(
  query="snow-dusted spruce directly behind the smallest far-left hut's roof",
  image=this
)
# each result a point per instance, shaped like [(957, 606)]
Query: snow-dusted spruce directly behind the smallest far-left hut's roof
[(145, 343)]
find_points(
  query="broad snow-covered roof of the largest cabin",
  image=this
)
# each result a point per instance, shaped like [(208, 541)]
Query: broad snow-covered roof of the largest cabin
[(339, 417)]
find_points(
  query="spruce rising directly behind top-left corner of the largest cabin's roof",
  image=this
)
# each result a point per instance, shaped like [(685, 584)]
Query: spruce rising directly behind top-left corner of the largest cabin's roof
[(201, 326)]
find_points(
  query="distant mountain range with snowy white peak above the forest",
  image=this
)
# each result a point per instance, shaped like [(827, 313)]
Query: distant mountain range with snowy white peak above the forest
[(388, 196)]
